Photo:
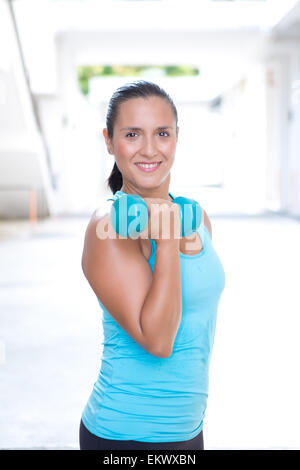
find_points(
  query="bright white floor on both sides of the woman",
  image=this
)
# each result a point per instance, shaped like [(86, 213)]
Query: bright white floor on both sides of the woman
[(50, 334)]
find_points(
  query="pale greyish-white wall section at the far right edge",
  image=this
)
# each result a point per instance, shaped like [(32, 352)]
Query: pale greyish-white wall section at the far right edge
[(283, 118)]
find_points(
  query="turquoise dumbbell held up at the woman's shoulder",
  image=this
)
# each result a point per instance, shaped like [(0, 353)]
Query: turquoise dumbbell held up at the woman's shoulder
[(129, 215)]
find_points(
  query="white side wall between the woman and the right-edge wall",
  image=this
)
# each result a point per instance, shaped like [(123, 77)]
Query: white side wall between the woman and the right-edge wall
[(243, 114)]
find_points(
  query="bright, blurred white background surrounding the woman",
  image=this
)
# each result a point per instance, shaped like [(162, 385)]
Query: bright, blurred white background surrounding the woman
[(233, 71)]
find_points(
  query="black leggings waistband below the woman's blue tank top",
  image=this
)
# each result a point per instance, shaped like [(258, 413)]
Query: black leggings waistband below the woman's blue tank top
[(89, 441)]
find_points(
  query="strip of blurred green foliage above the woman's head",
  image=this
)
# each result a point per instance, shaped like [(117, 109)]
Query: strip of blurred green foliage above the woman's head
[(85, 72)]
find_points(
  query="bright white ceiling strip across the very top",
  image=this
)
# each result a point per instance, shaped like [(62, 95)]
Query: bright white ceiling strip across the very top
[(166, 15)]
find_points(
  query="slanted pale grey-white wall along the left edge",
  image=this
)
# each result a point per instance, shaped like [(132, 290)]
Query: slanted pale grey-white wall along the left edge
[(23, 163)]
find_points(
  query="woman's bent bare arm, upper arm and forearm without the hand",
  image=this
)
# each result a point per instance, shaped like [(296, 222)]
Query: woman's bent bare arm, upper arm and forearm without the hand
[(147, 306)]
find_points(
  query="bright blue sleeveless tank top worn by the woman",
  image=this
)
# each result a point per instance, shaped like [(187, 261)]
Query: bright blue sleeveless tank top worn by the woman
[(141, 397)]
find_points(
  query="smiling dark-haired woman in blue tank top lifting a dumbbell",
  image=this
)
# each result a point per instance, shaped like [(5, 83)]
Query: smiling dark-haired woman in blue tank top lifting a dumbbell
[(159, 296)]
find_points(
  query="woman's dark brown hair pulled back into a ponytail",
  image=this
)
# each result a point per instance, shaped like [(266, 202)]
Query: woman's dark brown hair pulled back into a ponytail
[(136, 89)]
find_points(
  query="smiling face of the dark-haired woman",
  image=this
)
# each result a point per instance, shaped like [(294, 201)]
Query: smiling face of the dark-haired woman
[(144, 132)]
